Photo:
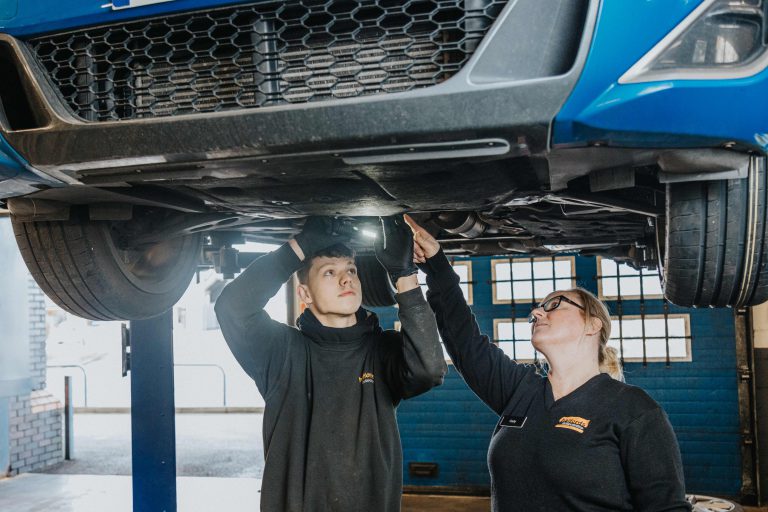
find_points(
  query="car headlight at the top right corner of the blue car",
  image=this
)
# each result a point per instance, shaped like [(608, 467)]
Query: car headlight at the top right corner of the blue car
[(720, 39)]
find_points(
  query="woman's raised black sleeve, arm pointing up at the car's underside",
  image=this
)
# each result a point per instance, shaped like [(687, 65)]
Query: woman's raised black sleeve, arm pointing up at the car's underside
[(488, 371)]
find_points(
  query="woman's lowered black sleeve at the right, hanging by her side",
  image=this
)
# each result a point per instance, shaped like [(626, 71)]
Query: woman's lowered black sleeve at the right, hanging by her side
[(652, 464)]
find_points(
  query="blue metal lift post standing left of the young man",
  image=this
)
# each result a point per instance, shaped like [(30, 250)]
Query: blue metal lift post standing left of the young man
[(153, 424)]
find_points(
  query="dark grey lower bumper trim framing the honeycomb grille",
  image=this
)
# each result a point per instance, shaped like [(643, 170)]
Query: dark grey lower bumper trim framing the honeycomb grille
[(472, 105)]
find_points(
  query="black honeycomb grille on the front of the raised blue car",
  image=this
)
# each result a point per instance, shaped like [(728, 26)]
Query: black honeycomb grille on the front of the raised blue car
[(262, 54)]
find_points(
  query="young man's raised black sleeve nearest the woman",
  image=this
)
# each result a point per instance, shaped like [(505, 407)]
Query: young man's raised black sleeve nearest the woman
[(422, 366)]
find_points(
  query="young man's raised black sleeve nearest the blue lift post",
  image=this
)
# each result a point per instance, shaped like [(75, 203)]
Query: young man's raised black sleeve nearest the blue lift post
[(259, 343)]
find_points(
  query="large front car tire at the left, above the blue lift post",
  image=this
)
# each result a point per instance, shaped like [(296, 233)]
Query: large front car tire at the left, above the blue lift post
[(79, 266)]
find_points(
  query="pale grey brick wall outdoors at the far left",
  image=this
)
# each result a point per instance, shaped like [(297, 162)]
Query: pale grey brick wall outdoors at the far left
[(35, 419)]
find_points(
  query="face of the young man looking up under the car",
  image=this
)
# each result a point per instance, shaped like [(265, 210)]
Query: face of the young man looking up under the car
[(332, 288)]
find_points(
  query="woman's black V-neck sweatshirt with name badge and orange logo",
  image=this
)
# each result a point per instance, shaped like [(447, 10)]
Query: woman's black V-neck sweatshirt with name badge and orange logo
[(606, 446)]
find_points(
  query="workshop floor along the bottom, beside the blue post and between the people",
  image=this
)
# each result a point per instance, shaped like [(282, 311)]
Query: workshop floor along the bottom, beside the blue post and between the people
[(34, 492)]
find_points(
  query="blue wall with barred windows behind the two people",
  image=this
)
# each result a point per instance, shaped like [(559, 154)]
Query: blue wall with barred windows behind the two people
[(451, 427)]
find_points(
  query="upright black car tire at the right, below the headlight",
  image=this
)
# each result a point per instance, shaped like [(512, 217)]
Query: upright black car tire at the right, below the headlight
[(716, 245)]
